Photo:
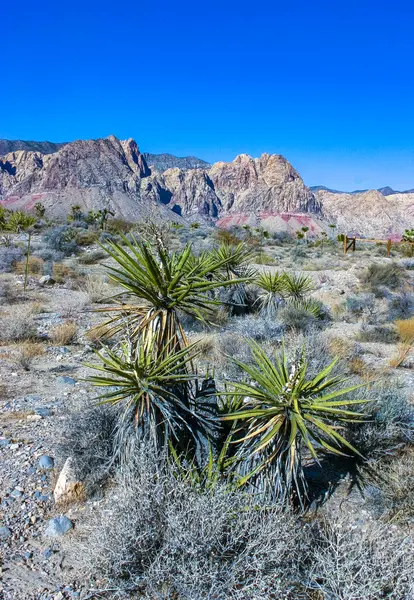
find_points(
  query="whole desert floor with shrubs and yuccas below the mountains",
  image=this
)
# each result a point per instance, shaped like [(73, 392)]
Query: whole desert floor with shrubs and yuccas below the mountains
[(216, 414)]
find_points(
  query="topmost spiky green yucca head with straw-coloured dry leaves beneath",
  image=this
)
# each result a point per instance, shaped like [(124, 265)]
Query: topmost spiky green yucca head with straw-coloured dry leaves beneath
[(161, 285)]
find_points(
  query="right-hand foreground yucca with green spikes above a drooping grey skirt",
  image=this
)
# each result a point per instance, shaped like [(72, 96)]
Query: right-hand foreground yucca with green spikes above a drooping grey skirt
[(283, 414)]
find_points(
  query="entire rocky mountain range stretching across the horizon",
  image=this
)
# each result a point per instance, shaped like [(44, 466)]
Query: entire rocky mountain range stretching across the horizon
[(114, 173)]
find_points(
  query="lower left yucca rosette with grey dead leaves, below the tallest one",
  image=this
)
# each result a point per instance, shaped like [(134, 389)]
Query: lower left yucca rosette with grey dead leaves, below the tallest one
[(156, 397)]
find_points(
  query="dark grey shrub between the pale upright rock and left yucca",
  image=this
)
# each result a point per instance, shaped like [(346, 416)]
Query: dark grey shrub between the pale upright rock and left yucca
[(87, 436)]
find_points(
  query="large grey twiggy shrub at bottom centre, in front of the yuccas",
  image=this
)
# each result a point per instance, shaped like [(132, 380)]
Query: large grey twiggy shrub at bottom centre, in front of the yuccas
[(161, 538)]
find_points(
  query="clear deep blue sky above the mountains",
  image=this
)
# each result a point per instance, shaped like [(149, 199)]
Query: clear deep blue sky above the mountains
[(330, 85)]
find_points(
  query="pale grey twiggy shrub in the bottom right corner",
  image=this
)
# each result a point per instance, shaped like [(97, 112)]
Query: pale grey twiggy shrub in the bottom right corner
[(360, 563)]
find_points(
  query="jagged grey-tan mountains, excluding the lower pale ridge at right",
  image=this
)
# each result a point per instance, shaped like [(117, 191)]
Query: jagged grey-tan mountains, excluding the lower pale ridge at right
[(113, 173)]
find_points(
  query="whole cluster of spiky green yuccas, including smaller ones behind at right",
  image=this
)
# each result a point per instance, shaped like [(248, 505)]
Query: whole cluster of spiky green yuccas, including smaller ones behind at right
[(253, 432)]
